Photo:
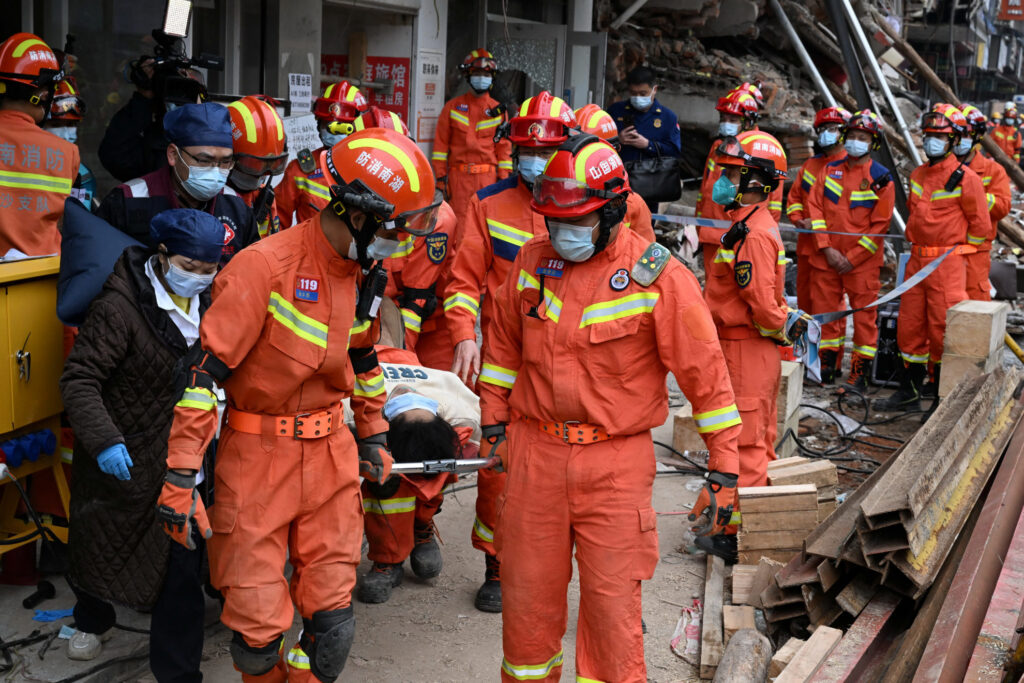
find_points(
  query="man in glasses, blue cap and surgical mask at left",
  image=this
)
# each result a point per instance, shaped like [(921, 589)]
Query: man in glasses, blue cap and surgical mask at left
[(200, 159)]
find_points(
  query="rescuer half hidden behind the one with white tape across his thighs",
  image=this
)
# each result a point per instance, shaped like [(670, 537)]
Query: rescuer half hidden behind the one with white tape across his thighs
[(997, 183)]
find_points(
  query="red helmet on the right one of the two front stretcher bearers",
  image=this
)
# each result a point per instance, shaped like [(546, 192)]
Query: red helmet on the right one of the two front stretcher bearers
[(581, 177)]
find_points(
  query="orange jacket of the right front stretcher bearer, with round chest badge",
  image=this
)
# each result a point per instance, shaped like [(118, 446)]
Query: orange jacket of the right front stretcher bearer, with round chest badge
[(566, 338)]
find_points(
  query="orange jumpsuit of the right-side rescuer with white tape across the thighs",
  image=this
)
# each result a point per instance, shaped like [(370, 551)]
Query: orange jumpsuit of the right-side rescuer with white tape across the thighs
[(937, 222)]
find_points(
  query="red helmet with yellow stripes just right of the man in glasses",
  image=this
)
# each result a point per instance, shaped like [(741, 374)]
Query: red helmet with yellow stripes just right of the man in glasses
[(259, 136)]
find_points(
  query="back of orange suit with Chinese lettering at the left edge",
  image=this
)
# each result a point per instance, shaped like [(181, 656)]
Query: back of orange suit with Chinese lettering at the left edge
[(37, 170)]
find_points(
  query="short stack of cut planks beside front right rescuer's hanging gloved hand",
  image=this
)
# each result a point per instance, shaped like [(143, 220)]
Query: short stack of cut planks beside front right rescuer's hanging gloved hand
[(776, 521)]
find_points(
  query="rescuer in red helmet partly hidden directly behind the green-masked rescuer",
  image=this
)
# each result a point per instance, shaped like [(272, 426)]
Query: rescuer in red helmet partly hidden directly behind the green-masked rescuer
[(739, 112)]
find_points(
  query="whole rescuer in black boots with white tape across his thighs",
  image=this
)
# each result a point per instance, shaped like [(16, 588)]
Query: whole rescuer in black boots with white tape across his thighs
[(947, 209)]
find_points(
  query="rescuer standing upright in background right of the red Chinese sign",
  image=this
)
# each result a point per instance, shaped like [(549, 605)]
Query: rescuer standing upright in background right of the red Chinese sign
[(465, 157)]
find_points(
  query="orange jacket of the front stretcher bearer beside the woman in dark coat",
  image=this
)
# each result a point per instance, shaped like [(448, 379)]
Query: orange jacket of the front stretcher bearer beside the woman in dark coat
[(283, 321)]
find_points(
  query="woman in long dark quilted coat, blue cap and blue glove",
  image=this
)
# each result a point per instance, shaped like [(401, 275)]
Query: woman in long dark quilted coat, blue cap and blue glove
[(120, 388)]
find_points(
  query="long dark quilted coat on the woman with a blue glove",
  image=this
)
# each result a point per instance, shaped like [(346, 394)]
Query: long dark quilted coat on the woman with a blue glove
[(119, 387)]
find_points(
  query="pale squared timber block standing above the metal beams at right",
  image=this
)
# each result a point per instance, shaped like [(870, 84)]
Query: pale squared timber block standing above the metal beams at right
[(974, 341)]
